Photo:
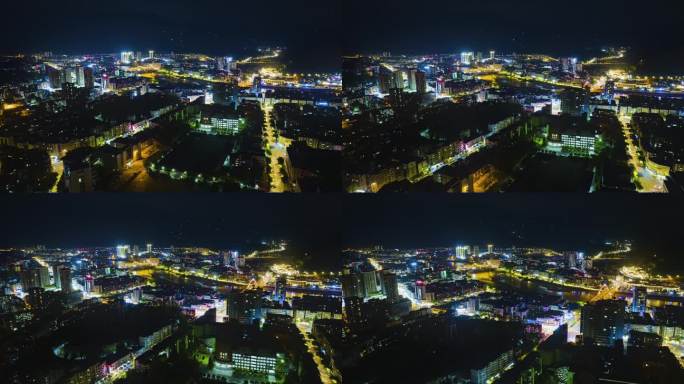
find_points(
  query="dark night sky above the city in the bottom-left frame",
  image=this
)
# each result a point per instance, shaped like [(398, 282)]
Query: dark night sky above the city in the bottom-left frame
[(196, 219)]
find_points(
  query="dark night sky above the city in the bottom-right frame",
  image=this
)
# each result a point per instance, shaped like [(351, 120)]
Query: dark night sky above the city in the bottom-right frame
[(557, 219)]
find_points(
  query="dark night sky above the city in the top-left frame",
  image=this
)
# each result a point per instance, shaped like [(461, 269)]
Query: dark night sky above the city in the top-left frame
[(310, 29)]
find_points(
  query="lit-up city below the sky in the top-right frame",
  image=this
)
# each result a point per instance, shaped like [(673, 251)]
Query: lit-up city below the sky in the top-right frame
[(490, 121)]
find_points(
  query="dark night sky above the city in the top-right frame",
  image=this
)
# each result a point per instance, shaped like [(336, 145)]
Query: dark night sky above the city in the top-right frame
[(578, 27)]
